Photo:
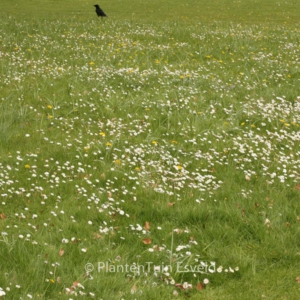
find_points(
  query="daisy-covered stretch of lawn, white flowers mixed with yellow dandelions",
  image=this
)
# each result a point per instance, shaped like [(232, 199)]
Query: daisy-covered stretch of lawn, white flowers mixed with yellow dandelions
[(98, 118)]
